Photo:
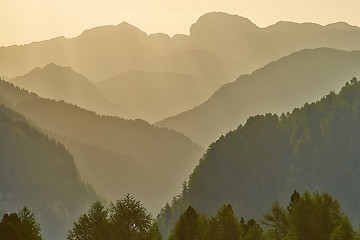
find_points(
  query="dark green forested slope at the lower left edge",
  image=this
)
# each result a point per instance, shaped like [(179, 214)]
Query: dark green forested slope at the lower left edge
[(40, 173)]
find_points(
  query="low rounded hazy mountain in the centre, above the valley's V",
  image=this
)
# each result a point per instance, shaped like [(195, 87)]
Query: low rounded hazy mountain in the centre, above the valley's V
[(155, 95)]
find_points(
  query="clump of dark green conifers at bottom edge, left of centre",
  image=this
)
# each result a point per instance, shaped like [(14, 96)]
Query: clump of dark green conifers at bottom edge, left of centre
[(124, 219)]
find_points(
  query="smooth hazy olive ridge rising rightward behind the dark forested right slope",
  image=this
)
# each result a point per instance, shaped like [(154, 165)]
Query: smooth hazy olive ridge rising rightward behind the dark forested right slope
[(278, 87)]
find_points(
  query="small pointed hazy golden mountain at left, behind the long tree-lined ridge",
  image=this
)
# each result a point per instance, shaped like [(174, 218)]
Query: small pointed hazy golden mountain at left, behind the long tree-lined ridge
[(63, 83)]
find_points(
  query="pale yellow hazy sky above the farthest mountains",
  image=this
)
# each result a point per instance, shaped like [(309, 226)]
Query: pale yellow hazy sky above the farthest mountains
[(23, 21)]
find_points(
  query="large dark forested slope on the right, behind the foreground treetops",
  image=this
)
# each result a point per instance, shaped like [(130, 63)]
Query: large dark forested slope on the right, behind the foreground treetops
[(314, 148)]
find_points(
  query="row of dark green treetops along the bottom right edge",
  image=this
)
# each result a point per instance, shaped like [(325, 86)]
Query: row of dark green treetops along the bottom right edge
[(311, 216)]
